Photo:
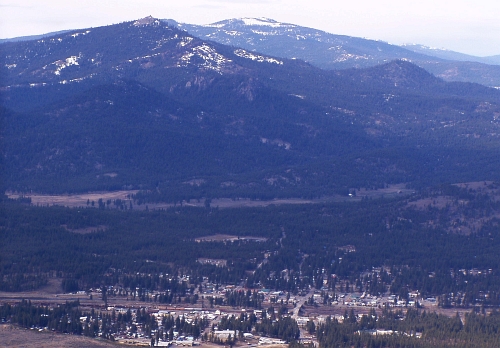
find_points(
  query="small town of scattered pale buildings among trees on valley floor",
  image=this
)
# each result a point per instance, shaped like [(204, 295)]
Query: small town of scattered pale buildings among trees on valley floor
[(137, 318)]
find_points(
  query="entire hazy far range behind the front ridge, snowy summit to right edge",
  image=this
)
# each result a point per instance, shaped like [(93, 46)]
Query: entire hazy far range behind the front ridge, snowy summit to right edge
[(330, 51)]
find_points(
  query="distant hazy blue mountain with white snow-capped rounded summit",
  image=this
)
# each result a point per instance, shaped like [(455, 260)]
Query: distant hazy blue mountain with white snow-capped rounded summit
[(320, 48)]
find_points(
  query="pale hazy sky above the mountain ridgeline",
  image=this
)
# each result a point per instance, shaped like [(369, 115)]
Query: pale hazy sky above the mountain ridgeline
[(467, 26)]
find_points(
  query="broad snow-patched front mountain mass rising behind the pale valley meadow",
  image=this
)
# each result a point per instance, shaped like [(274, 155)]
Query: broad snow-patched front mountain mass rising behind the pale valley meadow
[(145, 105)]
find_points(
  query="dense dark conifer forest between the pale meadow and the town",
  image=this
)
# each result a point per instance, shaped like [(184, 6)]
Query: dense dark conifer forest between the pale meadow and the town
[(378, 246)]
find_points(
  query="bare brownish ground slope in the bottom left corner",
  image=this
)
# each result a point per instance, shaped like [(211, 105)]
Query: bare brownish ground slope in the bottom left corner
[(12, 336)]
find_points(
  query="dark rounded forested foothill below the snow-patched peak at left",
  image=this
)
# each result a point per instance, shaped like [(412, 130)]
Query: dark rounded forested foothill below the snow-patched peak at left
[(128, 130)]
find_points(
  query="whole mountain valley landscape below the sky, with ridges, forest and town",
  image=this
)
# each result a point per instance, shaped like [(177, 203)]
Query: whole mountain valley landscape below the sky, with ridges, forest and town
[(215, 187)]
